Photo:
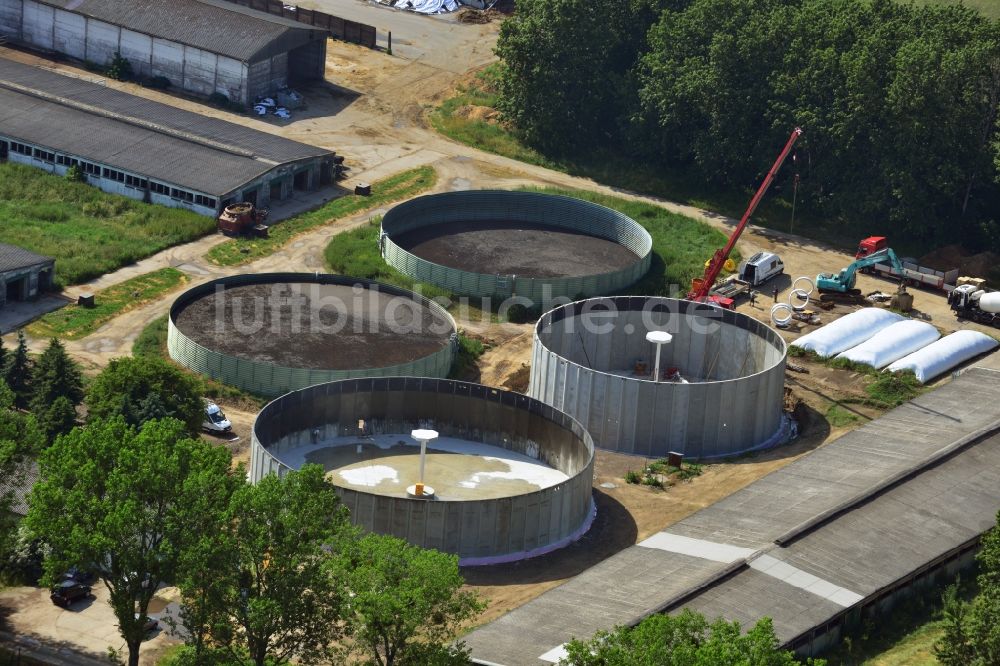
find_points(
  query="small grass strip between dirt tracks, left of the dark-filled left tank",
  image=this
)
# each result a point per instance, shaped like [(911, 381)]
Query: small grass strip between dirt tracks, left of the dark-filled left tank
[(73, 322)]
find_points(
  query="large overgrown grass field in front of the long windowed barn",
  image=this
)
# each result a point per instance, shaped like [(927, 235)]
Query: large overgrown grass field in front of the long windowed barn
[(88, 232)]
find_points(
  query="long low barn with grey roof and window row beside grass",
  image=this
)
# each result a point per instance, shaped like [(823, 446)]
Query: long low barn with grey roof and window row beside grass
[(147, 150)]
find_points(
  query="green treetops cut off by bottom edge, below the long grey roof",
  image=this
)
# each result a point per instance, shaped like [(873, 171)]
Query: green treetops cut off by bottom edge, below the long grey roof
[(686, 639)]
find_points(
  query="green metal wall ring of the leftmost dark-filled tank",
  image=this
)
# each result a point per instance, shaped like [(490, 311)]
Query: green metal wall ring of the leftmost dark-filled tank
[(271, 380)]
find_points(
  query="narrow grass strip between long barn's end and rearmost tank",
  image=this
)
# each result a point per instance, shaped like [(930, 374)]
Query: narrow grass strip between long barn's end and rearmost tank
[(402, 185)]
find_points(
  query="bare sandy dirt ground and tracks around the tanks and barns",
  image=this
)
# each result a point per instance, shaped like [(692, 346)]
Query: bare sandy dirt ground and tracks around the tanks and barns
[(372, 110)]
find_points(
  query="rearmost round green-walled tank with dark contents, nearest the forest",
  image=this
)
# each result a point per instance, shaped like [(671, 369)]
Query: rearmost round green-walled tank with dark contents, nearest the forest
[(497, 243)]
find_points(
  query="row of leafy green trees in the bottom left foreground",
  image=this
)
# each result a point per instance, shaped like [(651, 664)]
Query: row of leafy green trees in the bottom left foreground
[(267, 572)]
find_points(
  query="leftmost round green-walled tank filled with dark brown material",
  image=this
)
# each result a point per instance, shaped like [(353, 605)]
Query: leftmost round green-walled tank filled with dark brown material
[(270, 333)]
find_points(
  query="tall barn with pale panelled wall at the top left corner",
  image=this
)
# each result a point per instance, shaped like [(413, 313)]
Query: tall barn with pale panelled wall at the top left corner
[(201, 46)]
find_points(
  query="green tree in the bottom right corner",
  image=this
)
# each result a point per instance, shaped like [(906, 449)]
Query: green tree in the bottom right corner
[(972, 629)]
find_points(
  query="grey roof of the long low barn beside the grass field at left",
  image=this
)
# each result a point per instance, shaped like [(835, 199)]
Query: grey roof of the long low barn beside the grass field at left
[(161, 142)]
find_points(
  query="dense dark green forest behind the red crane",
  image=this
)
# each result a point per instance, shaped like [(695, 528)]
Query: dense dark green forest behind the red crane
[(899, 102)]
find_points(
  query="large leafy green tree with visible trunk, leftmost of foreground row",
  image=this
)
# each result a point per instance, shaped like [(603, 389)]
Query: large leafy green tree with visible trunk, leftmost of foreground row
[(126, 504)]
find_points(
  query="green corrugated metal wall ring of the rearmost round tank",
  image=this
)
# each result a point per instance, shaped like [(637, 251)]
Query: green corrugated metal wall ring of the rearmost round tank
[(490, 205)]
